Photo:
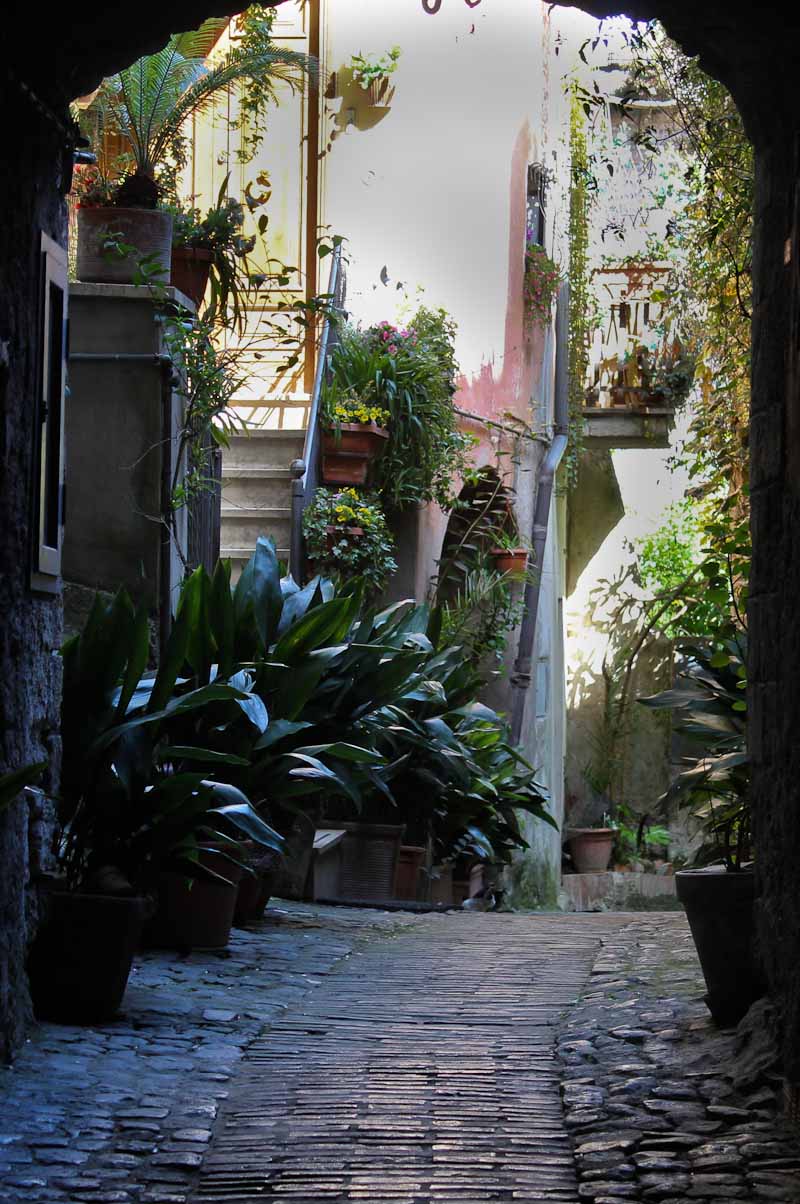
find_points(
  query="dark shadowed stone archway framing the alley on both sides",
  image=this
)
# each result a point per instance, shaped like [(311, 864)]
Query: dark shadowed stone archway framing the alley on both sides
[(756, 52)]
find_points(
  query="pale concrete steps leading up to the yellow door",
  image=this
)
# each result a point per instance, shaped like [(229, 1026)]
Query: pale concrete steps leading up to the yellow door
[(257, 493)]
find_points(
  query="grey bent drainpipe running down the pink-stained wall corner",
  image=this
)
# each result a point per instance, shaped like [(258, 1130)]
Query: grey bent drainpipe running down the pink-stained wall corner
[(522, 670)]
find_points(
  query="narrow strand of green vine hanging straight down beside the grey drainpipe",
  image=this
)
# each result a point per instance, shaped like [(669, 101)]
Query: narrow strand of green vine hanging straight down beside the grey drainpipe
[(581, 306)]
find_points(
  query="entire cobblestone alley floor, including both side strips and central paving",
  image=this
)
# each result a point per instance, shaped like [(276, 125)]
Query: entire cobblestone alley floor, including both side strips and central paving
[(344, 1055)]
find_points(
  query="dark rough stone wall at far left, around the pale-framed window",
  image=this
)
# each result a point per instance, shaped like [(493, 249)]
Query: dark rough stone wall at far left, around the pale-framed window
[(31, 624)]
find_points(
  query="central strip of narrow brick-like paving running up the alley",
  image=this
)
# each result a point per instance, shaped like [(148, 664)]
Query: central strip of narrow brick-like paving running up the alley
[(425, 1071)]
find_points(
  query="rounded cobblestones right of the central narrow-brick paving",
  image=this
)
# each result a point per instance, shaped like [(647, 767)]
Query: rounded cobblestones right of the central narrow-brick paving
[(661, 1105)]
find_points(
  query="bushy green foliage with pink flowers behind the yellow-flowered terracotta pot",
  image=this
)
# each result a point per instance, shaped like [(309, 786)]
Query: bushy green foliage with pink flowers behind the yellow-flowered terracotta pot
[(411, 375)]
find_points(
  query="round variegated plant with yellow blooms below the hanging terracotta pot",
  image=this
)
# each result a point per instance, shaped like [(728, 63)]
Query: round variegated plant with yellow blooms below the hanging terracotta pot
[(348, 536)]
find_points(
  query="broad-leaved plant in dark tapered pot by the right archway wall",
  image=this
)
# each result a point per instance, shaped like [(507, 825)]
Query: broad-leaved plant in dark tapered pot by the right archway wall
[(719, 892)]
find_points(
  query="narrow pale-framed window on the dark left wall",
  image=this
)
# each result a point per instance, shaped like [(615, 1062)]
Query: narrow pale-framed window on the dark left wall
[(49, 524)]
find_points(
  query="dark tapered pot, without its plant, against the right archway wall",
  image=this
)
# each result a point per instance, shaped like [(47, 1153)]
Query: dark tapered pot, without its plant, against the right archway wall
[(720, 907)]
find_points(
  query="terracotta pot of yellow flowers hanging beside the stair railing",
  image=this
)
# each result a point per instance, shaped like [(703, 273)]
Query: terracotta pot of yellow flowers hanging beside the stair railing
[(354, 436)]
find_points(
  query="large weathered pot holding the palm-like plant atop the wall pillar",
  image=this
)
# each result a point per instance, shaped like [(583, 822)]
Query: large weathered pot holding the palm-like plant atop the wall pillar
[(150, 232)]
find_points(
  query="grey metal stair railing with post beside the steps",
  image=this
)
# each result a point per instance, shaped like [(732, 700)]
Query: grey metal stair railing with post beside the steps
[(305, 473)]
